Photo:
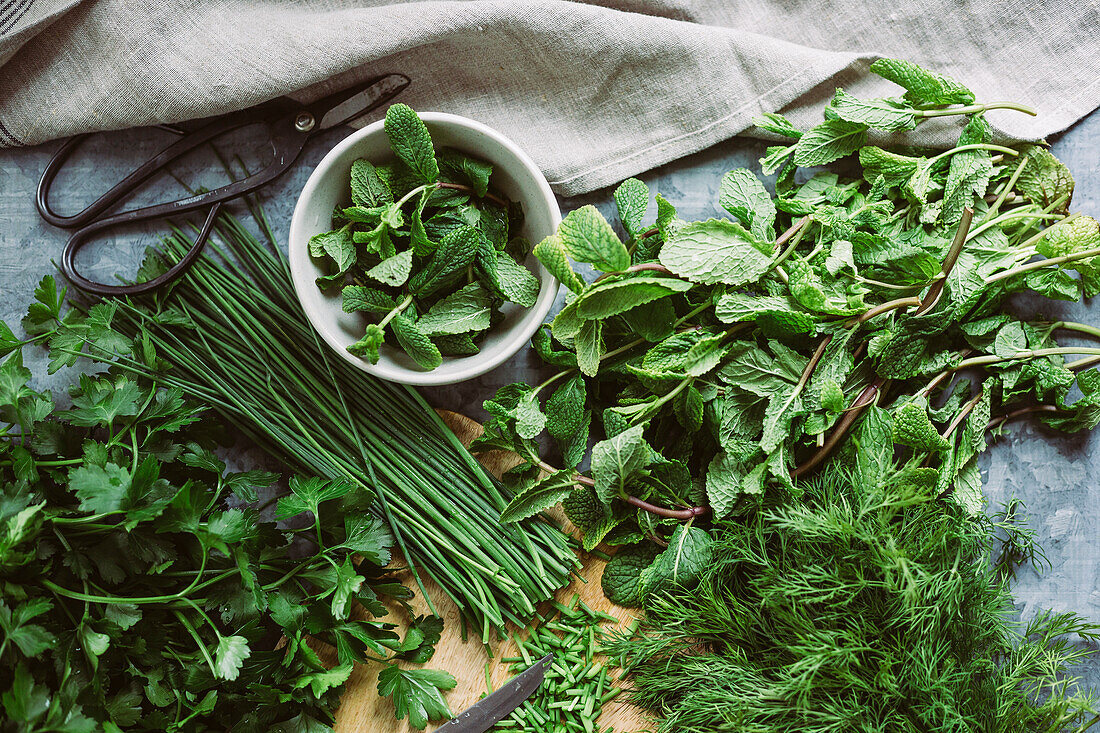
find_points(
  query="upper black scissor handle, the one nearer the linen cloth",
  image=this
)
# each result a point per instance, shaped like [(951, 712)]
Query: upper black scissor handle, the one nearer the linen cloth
[(142, 173)]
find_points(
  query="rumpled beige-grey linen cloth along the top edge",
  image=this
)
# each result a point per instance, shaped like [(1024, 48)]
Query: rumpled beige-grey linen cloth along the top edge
[(596, 92)]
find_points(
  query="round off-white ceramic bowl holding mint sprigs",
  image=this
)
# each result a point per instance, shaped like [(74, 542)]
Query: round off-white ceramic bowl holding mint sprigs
[(514, 174)]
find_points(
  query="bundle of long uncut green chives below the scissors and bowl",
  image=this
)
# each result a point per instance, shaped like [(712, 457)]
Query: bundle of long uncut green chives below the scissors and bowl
[(249, 352)]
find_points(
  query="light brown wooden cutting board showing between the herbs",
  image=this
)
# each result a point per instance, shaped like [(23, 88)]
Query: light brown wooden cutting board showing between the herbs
[(364, 712)]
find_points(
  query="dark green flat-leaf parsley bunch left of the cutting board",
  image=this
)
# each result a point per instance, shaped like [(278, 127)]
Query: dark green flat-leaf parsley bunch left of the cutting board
[(140, 589)]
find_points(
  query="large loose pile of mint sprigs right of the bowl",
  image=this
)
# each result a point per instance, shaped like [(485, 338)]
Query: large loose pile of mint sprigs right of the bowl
[(714, 364)]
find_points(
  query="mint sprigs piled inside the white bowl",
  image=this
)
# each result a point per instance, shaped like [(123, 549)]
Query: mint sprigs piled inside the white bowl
[(425, 251)]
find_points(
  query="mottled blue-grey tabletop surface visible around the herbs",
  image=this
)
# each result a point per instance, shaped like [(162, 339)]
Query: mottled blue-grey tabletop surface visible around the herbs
[(1058, 477)]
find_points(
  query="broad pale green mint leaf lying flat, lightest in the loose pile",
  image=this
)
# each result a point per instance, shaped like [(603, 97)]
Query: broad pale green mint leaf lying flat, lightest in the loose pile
[(717, 251)]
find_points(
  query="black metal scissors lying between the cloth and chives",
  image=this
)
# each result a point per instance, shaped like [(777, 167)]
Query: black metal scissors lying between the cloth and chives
[(291, 125)]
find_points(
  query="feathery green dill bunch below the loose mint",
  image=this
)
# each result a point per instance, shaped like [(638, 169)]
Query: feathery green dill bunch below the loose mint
[(863, 608)]
